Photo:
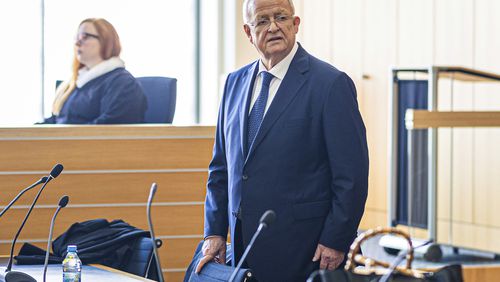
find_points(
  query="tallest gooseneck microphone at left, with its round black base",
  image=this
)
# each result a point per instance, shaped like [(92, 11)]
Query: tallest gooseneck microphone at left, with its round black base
[(11, 276)]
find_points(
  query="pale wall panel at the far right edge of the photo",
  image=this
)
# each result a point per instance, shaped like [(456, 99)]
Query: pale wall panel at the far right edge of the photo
[(486, 151)]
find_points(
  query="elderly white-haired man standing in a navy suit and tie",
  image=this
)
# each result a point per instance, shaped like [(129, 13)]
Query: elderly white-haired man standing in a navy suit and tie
[(289, 138)]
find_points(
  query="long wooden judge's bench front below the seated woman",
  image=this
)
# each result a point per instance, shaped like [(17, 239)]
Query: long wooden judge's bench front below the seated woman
[(108, 171)]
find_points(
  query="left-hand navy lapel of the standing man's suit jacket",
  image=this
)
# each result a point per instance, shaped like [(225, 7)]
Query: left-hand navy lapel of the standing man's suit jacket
[(247, 87)]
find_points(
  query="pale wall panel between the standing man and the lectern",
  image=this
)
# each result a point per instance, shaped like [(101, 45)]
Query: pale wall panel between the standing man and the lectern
[(379, 53)]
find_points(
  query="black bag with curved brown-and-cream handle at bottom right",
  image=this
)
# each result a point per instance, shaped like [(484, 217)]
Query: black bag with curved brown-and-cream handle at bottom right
[(451, 273)]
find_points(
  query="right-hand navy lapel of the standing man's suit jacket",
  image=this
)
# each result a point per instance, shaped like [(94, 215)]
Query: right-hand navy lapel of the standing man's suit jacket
[(289, 88)]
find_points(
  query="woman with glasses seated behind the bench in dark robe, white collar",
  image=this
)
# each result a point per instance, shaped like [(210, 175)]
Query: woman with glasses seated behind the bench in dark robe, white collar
[(100, 90)]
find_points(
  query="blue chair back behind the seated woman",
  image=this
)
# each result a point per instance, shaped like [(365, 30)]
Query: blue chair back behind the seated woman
[(161, 93)]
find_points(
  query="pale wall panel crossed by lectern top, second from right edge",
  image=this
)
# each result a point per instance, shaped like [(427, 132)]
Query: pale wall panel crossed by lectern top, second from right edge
[(454, 45)]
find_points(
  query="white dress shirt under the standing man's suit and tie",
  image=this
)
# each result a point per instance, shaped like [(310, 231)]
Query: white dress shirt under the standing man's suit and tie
[(279, 71)]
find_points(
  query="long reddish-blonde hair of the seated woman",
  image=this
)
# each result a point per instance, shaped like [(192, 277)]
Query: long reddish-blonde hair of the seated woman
[(110, 47)]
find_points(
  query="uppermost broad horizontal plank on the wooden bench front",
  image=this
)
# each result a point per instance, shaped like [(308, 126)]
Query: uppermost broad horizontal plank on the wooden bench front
[(41, 155)]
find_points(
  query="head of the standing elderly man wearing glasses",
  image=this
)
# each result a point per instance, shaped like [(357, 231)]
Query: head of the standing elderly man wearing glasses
[(271, 28)]
